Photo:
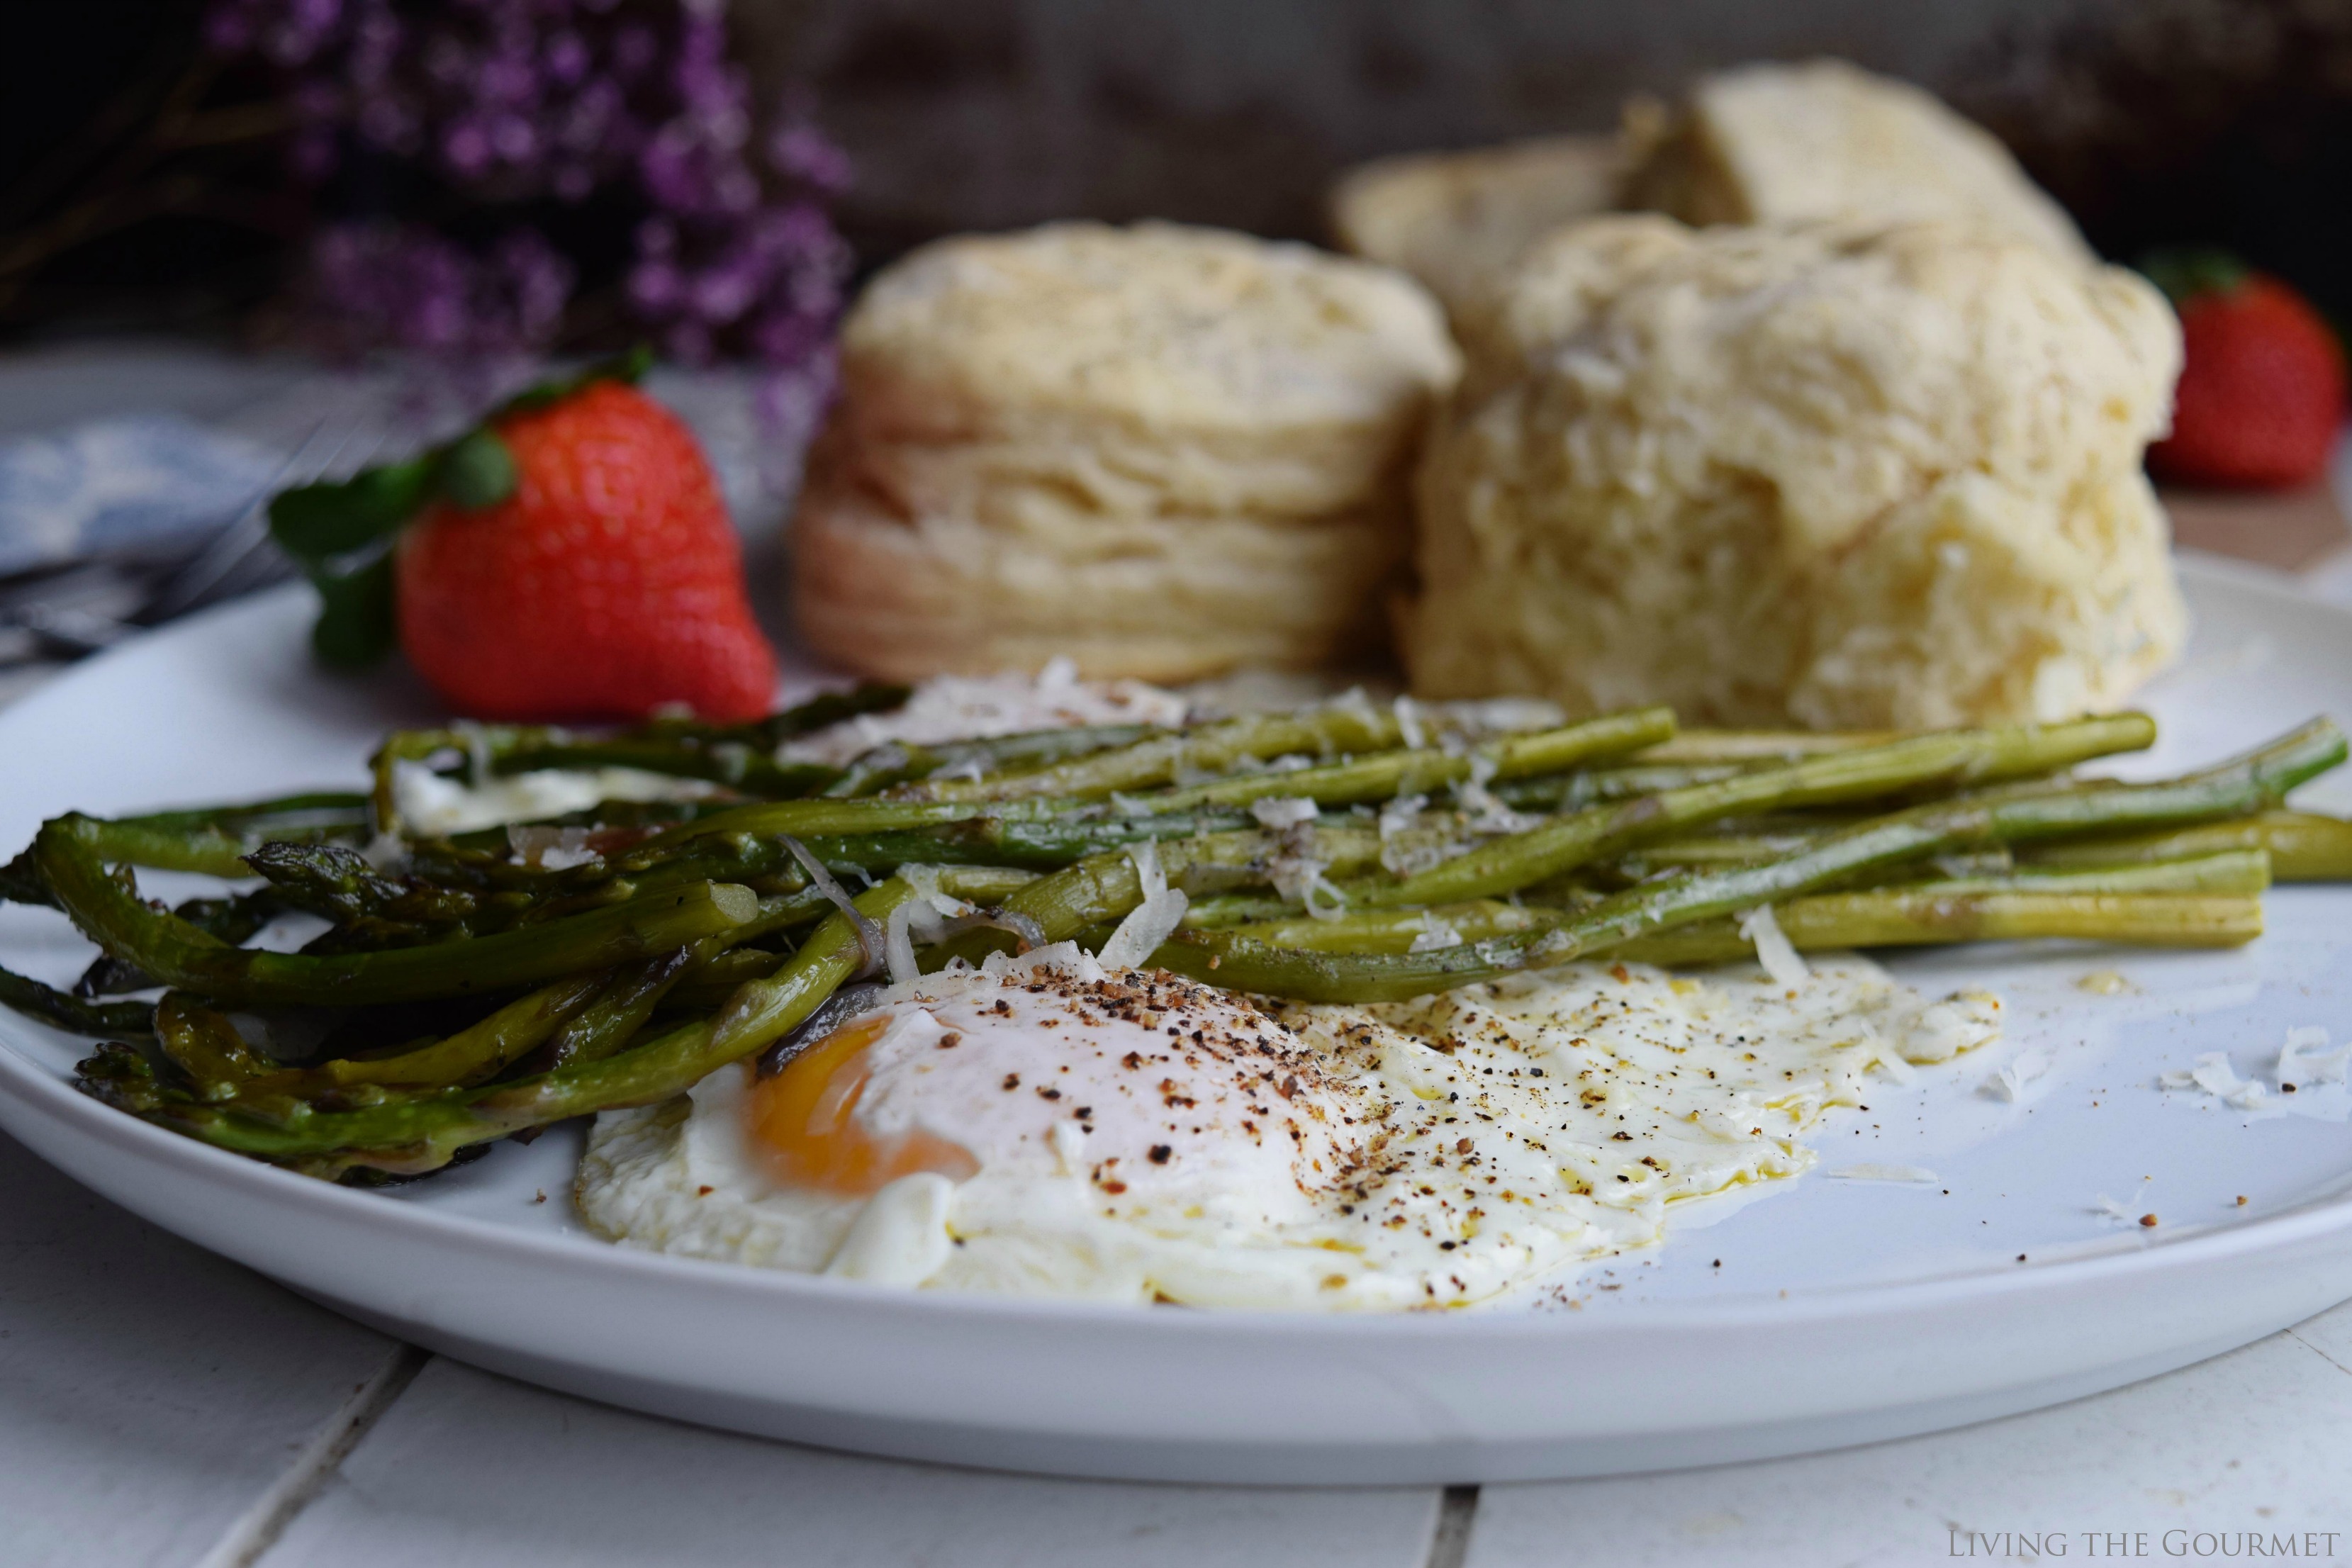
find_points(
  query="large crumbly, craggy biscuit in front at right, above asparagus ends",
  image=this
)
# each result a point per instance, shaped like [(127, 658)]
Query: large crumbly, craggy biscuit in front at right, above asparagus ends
[(1843, 476)]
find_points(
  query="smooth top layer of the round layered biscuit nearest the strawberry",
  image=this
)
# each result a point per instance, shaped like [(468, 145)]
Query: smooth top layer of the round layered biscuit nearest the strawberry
[(1217, 368)]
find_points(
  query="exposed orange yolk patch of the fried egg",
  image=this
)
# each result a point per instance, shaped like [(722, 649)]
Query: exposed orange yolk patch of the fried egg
[(806, 1127)]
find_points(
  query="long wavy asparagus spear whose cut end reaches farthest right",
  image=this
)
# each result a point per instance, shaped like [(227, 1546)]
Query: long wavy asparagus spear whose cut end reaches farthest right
[(2236, 789)]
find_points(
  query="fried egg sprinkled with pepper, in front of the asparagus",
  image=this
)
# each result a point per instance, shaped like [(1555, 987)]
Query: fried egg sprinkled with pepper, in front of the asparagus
[(1048, 1127)]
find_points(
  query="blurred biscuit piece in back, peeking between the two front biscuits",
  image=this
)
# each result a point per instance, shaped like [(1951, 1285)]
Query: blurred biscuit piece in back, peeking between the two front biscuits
[(1462, 220)]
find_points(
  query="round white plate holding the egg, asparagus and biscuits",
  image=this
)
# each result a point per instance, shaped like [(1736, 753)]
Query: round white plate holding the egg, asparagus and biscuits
[(1831, 1313)]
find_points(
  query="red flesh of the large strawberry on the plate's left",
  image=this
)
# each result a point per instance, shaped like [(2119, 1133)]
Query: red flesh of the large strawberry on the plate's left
[(603, 584)]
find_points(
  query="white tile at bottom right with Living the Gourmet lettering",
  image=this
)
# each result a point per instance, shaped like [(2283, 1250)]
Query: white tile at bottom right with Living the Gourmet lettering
[(2259, 1440)]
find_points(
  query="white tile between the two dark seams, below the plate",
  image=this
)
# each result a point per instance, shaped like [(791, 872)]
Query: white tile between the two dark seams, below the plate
[(481, 1470)]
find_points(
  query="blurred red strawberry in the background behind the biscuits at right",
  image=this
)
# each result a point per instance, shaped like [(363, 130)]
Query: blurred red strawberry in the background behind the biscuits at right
[(2264, 380)]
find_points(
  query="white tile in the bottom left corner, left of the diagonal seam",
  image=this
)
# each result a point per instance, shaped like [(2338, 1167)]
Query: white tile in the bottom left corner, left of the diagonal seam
[(149, 1393)]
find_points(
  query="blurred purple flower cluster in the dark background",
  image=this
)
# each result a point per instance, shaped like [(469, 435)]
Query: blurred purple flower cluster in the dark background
[(535, 102)]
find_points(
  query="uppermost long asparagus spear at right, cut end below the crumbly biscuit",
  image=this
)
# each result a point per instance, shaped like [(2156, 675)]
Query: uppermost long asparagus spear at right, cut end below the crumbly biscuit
[(1951, 758)]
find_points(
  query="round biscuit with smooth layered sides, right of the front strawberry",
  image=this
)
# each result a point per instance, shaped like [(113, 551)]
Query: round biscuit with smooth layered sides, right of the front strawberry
[(1161, 450)]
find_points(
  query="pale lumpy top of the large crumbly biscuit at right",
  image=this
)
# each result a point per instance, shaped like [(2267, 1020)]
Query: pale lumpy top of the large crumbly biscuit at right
[(1845, 366)]
